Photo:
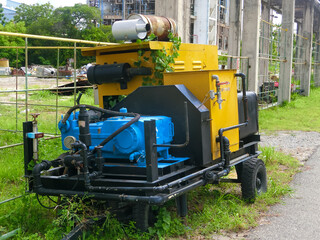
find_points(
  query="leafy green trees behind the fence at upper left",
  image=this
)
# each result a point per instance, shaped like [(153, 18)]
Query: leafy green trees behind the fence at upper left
[(79, 22)]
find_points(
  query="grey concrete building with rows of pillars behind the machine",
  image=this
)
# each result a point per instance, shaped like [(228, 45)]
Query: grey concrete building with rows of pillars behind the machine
[(291, 50)]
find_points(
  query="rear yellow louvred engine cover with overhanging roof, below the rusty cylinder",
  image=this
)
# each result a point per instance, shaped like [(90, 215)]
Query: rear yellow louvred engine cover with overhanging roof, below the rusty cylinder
[(192, 57)]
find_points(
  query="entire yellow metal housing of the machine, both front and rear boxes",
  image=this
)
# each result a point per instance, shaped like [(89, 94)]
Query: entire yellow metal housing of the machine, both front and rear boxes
[(194, 68)]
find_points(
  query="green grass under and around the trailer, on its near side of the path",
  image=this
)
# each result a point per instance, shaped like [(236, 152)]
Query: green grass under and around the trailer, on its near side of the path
[(212, 208)]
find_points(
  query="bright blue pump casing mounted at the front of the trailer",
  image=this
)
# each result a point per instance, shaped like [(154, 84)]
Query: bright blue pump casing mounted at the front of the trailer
[(130, 143)]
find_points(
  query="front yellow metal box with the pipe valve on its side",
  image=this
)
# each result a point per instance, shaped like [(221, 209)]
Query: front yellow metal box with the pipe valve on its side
[(201, 83)]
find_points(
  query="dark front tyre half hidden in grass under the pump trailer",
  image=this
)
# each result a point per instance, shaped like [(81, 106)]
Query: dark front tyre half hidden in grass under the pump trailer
[(140, 214)]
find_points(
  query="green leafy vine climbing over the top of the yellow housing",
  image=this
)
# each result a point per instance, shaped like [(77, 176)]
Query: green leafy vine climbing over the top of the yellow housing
[(161, 59)]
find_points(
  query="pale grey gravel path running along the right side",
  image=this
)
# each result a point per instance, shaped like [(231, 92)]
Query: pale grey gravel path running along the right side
[(299, 211)]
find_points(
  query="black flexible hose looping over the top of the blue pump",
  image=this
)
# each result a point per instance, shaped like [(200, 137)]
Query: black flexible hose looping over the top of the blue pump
[(135, 116)]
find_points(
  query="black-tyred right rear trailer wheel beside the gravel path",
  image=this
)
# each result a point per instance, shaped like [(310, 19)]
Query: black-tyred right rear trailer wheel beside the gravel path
[(253, 179)]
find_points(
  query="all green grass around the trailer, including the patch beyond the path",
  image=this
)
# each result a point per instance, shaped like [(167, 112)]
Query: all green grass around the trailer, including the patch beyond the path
[(213, 209)]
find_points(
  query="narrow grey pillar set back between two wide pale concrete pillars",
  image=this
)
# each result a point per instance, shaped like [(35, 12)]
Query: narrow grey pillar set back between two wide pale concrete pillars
[(264, 44)]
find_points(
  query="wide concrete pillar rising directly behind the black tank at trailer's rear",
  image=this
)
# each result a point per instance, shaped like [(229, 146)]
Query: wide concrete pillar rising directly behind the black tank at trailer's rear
[(250, 40)]
